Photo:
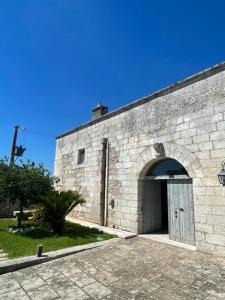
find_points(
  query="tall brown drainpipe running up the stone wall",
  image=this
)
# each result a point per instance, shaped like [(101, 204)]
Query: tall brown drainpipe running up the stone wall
[(103, 181)]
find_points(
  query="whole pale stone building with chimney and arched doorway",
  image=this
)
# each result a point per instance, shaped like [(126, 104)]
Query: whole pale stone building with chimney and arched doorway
[(152, 165)]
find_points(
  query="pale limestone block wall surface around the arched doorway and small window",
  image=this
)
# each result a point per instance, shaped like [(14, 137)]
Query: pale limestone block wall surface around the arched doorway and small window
[(189, 119)]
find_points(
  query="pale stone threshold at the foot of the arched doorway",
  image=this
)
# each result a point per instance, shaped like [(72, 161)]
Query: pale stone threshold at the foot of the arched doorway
[(164, 238)]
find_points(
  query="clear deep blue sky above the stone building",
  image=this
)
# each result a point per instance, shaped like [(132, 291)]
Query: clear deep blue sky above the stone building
[(59, 58)]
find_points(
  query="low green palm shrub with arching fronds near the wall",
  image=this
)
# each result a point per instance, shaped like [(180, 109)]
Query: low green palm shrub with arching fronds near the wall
[(57, 204)]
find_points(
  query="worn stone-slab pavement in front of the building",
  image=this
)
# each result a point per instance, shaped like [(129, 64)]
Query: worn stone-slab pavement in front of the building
[(124, 269)]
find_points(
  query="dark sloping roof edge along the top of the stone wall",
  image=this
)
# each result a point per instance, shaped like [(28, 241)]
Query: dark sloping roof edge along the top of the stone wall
[(165, 91)]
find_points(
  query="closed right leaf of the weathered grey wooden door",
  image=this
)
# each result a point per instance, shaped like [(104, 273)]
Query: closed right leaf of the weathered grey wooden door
[(181, 210)]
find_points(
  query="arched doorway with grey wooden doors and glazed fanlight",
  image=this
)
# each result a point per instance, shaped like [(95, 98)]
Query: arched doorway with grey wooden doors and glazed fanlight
[(167, 202)]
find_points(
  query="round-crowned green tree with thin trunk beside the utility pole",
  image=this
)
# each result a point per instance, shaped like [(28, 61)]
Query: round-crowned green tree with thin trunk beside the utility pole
[(25, 182)]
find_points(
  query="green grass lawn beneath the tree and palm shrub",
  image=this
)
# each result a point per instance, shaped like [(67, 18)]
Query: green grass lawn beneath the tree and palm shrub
[(24, 244)]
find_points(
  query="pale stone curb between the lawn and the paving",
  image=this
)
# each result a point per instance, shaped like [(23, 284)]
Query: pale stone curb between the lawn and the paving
[(27, 261)]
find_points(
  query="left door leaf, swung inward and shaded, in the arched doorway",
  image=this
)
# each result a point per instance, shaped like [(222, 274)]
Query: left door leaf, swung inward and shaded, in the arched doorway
[(151, 206)]
